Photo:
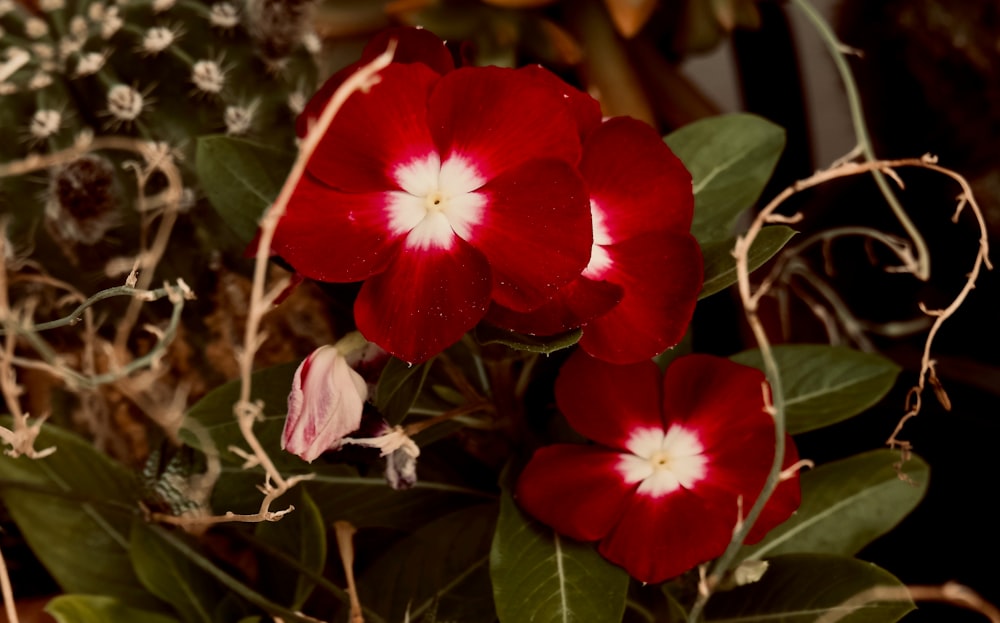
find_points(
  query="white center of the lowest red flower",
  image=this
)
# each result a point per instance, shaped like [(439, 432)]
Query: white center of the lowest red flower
[(662, 462)]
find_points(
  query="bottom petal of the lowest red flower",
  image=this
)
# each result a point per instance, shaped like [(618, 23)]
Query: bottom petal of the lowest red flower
[(661, 538)]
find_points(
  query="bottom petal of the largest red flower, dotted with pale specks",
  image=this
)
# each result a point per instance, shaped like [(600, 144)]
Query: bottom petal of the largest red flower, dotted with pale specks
[(424, 301)]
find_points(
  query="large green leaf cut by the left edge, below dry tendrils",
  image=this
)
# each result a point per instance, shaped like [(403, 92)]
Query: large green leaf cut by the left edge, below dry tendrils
[(74, 509)]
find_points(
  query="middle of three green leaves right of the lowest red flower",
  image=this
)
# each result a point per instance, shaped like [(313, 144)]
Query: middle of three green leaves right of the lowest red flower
[(847, 504)]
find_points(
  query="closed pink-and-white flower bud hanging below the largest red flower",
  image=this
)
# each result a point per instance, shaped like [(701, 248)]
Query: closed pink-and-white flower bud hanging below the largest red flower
[(324, 405)]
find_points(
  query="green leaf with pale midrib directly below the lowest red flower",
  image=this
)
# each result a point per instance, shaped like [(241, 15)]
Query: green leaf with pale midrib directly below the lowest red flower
[(541, 576)]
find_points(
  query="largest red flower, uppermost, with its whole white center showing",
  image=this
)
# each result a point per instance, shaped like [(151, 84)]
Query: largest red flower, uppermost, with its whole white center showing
[(443, 190)]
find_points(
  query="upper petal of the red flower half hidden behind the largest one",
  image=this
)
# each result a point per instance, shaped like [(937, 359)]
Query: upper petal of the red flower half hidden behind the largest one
[(637, 183)]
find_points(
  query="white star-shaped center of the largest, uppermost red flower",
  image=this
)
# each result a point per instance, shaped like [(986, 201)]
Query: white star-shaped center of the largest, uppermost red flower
[(438, 201)]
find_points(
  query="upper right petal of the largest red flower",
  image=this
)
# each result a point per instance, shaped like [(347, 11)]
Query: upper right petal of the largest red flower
[(500, 119)]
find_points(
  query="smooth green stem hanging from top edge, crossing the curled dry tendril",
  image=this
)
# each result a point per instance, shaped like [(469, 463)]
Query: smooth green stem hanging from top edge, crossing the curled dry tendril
[(922, 269)]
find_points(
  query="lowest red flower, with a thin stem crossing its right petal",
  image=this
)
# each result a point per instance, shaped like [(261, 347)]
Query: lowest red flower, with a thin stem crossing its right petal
[(661, 493)]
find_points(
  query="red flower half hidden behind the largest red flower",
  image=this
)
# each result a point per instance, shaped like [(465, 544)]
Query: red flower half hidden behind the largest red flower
[(638, 292)]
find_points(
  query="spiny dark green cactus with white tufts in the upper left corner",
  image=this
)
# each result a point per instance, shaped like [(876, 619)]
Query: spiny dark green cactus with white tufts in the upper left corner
[(166, 71)]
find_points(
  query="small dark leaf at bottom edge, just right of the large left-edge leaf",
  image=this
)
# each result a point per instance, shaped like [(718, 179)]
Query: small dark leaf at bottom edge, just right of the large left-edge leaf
[(171, 576)]
